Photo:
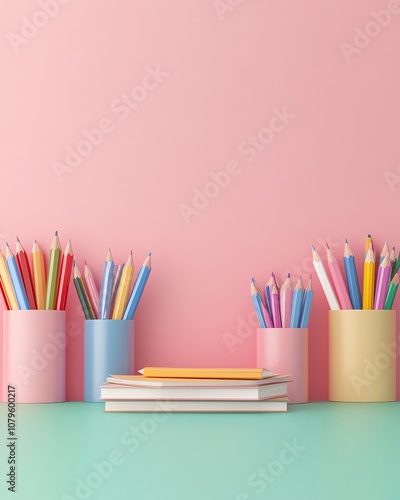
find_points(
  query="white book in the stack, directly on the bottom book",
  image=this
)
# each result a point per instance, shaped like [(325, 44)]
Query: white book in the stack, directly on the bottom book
[(114, 391)]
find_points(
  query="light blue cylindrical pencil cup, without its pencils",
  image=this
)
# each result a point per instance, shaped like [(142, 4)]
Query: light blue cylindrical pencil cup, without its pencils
[(109, 348)]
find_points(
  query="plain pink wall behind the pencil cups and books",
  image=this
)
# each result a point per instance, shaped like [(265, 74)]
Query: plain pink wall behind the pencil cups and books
[(224, 71)]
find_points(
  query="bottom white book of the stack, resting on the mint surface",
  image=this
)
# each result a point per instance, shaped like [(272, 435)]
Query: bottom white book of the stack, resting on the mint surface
[(193, 406)]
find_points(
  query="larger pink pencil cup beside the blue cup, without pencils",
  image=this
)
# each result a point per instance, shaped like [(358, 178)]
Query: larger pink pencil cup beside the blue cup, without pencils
[(34, 355)]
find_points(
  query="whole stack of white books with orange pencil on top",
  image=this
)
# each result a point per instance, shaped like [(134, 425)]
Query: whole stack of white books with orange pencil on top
[(176, 390)]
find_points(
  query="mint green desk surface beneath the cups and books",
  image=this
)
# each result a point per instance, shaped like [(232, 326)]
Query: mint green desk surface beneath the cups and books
[(315, 451)]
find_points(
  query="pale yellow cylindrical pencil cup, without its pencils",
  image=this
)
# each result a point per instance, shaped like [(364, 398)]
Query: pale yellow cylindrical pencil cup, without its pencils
[(362, 355)]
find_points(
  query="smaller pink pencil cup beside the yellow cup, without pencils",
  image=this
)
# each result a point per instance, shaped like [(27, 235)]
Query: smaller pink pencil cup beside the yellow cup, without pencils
[(285, 351)]
